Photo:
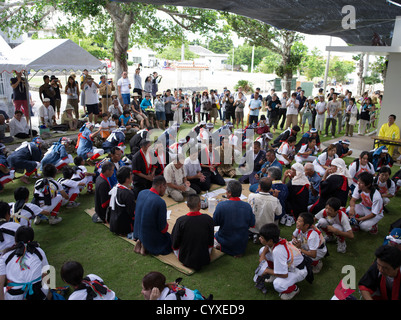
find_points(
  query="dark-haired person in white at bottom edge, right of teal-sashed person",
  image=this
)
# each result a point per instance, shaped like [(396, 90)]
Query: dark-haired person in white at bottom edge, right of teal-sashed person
[(90, 287)]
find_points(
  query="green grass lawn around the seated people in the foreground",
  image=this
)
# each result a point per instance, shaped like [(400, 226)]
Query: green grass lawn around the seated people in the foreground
[(228, 278)]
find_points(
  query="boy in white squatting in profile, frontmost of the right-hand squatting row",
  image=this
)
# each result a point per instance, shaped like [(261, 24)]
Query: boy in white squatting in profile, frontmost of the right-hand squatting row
[(281, 263)]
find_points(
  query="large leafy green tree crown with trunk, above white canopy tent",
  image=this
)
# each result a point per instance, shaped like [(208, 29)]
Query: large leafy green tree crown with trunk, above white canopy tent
[(124, 24)]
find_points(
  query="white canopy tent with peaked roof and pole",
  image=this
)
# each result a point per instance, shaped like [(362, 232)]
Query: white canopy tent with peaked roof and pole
[(49, 55)]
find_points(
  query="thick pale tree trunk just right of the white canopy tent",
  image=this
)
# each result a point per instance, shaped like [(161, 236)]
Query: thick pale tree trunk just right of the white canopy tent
[(123, 21)]
